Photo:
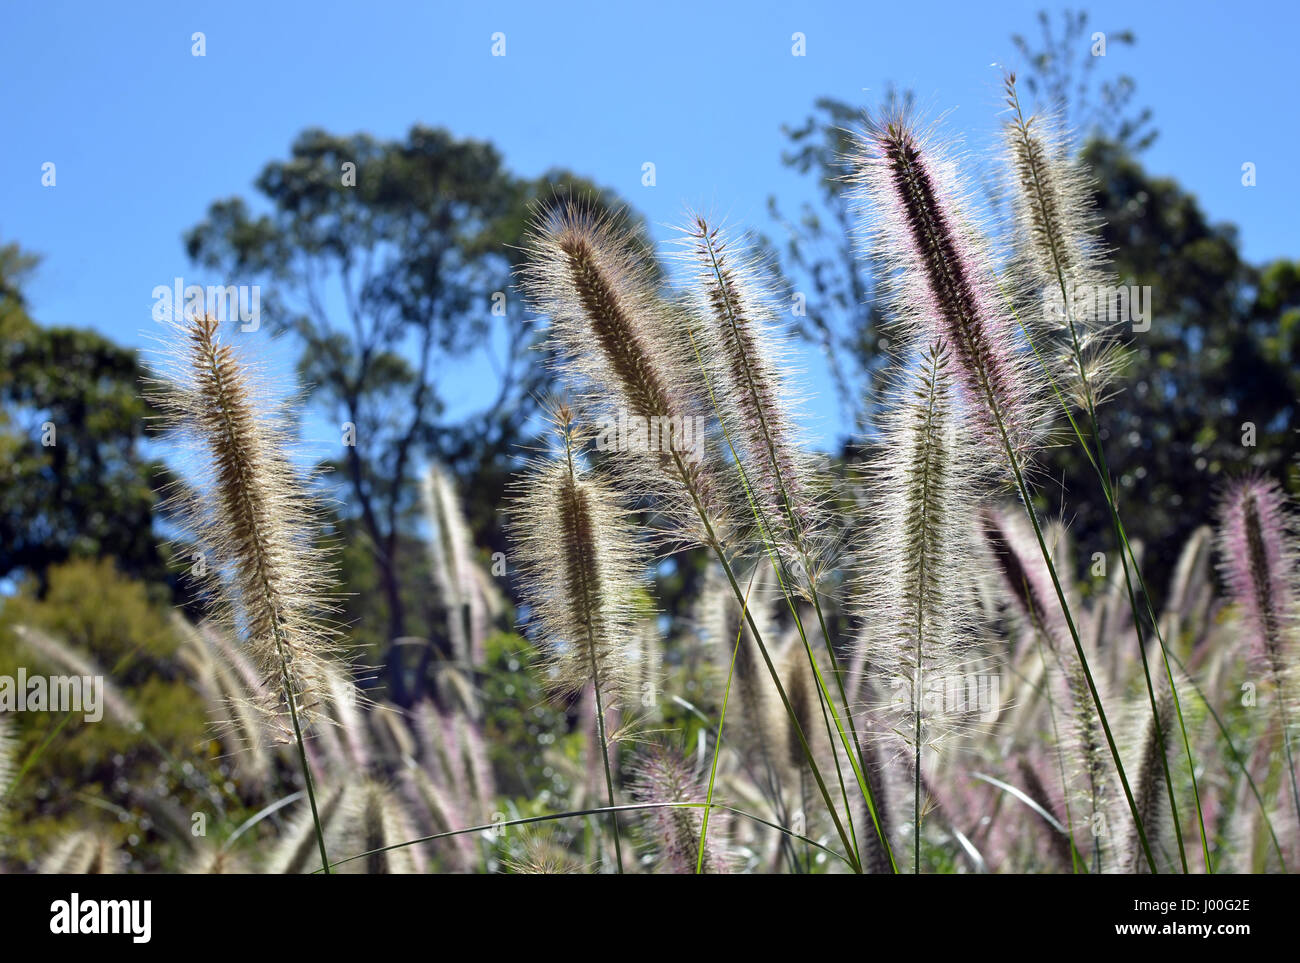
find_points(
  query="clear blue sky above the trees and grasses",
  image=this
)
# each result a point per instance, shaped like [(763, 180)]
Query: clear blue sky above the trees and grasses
[(145, 136)]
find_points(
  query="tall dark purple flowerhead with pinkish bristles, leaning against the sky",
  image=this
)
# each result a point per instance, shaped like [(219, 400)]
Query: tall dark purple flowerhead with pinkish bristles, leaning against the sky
[(943, 287)]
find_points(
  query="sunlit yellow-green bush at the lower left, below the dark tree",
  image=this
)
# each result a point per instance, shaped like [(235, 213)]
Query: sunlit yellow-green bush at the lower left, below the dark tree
[(106, 775)]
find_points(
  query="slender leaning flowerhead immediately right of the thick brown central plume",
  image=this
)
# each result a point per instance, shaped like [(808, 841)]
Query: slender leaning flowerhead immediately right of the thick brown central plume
[(740, 342)]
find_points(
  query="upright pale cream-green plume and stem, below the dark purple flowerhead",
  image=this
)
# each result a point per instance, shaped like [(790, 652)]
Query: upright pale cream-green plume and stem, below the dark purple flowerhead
[(920, 562)]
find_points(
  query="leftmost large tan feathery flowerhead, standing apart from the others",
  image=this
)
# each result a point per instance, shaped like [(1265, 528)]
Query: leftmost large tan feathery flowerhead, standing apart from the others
[(250, 514)]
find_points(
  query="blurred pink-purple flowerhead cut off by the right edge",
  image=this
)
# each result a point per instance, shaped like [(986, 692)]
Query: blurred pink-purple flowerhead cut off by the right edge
[(1258, 554)]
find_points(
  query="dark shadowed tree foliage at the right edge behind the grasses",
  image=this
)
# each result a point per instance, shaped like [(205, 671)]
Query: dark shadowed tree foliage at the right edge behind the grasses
[(1224, 350)]
